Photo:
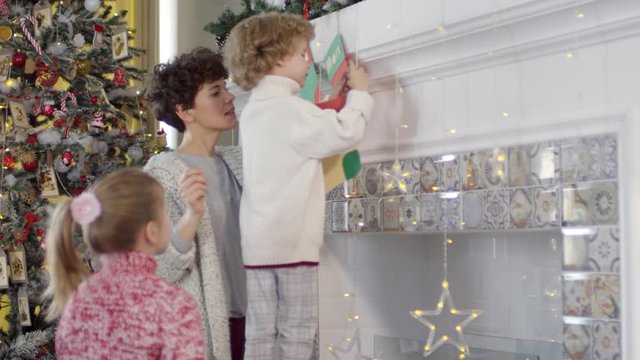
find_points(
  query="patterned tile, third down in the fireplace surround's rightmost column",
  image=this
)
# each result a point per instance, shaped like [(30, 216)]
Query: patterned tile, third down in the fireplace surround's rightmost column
[(604, 250)]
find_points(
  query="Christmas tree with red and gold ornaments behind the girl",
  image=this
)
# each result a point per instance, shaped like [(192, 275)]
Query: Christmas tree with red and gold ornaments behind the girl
[(70, 114)]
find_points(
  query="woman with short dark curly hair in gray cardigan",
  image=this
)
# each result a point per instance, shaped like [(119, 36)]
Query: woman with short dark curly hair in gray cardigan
[(202, 184)]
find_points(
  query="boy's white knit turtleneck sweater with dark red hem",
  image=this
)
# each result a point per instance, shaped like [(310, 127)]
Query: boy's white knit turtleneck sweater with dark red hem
[(284, 138)]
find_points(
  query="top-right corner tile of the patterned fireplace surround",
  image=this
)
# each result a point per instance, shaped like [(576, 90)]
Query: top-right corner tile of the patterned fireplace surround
[(604, 157)]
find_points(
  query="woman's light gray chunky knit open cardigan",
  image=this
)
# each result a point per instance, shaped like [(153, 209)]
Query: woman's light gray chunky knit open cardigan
[(203, 282)]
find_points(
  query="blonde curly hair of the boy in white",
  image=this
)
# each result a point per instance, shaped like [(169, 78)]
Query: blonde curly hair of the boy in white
[(257, 43)]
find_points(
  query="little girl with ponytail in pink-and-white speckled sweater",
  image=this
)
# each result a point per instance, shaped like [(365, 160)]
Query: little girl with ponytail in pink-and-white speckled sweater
[(124, 311)]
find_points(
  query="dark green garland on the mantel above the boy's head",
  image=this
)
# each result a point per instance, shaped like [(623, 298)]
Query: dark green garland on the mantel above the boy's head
[(311, 9)]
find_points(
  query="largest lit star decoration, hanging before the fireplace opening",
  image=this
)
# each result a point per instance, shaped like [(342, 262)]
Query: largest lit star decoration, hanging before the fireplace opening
[(447, 324)]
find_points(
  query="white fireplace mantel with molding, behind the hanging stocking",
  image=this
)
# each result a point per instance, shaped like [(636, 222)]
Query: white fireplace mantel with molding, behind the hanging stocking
[(502, 73)]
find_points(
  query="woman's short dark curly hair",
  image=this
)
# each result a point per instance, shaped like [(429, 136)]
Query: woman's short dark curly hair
[(178, 82)]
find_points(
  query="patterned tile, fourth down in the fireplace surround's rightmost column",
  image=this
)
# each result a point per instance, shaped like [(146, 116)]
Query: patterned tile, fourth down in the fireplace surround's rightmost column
[(606, 297)]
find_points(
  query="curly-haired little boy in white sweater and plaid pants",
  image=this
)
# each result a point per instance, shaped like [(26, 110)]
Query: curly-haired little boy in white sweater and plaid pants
[(284, 139)]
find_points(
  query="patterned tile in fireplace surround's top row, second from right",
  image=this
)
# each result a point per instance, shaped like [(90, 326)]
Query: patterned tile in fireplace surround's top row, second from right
[(574, 160)]
